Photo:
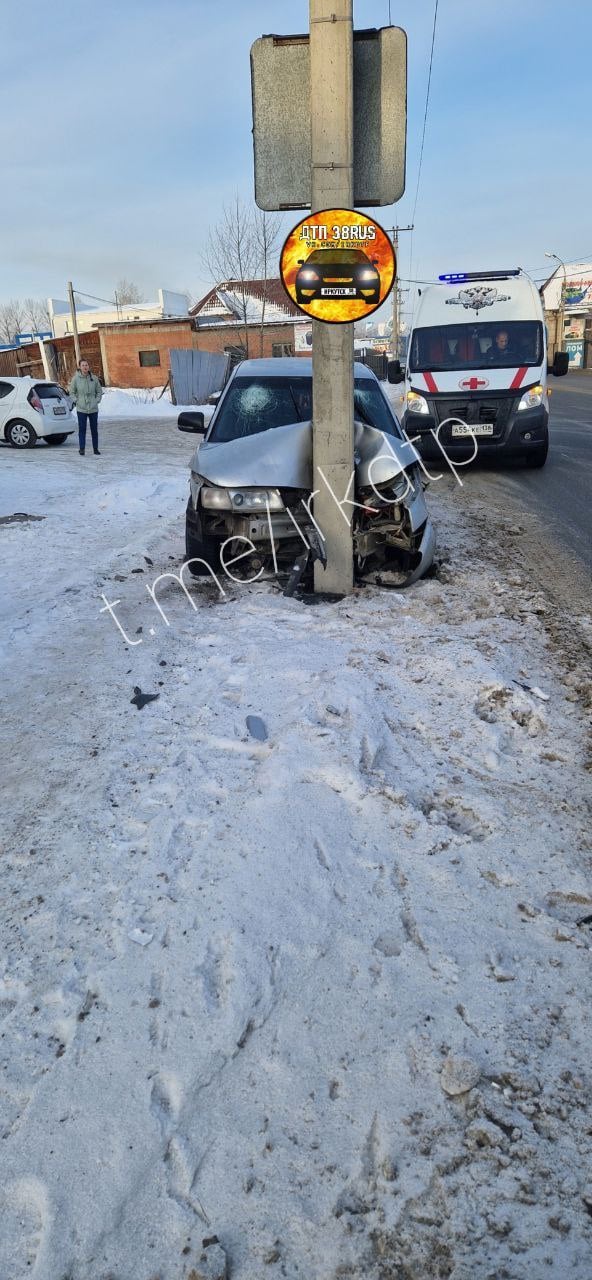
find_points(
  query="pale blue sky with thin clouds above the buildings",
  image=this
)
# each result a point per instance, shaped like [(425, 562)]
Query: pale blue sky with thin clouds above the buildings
[(125, 127)]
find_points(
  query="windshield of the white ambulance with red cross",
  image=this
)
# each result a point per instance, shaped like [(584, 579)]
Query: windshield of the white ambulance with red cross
[(479, 345)]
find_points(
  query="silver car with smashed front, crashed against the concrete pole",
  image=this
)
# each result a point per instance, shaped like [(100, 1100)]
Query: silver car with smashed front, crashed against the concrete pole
[(252, 481)]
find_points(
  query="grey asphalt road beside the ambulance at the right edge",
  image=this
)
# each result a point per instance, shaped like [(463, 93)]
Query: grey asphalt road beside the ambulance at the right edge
[(559, 495)]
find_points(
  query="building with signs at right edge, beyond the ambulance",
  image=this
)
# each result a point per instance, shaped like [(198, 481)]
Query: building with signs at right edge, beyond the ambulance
[(575, 289)]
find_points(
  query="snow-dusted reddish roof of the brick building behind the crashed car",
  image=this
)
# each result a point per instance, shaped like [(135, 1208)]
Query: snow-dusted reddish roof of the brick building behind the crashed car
[(265, 300)]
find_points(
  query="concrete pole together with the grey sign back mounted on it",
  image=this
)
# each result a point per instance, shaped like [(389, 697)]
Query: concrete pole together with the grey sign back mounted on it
[(343, 149)]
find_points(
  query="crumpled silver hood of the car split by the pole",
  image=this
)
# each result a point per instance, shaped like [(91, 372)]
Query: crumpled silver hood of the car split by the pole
[(283, 459)]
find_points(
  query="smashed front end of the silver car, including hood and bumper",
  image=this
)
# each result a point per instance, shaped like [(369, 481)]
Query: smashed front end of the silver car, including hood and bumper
[(391, 527)]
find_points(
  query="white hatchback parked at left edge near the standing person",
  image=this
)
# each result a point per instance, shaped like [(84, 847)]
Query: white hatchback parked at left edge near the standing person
[(33, 410)]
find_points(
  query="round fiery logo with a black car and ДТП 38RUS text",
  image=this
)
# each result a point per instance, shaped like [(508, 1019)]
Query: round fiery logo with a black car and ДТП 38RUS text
[(338, 266)]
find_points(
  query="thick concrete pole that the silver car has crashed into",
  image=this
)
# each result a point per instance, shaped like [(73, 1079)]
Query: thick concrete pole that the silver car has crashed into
[(333, 188)]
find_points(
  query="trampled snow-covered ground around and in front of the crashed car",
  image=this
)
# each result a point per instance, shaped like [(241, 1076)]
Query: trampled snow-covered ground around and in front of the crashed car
[(324, 996)]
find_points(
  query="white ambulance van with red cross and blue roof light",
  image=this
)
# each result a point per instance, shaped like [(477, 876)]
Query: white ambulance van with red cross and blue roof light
[(476, 380)]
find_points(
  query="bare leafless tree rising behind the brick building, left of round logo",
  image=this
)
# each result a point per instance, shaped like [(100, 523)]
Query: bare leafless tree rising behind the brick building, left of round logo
[(233, 254)]
